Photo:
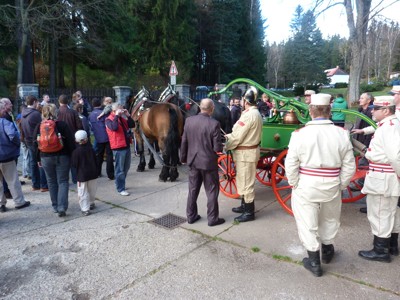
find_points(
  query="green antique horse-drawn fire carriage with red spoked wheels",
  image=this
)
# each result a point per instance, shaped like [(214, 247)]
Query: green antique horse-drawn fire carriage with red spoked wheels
[(289, 115)]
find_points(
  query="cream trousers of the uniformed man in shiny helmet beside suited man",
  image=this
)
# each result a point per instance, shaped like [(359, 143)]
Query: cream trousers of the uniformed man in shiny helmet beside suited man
[(245, 179)]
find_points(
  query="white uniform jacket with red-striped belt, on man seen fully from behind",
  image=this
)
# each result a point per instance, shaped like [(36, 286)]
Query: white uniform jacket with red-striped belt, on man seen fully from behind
[(320, 147)]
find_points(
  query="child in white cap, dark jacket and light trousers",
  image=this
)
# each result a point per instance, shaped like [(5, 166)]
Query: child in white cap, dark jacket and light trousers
[(84, 160)]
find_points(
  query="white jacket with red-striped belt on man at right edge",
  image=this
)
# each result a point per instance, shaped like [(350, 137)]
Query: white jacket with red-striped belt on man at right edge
[(384, 156)]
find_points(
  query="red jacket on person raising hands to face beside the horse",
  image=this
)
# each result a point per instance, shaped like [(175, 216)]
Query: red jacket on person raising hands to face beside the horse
[(117, 129)]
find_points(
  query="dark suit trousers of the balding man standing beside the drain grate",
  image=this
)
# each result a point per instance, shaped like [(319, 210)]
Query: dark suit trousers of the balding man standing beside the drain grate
[(211, 187)]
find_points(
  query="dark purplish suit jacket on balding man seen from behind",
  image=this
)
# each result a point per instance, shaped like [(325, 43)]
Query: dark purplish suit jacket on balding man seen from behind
[(201, 141)]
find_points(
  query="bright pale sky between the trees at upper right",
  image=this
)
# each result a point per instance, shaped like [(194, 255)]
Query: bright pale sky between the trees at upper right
[(279, 14)]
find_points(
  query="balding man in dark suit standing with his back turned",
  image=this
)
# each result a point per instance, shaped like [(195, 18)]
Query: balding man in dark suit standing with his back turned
[(200, 143)]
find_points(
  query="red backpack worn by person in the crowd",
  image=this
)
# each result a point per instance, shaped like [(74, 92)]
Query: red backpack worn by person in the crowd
[(49, 139)]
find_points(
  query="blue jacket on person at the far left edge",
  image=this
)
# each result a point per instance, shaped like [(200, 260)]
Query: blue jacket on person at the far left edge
[(9, 140)]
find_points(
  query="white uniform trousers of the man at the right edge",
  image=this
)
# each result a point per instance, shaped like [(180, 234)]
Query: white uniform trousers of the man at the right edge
[(383, 215)]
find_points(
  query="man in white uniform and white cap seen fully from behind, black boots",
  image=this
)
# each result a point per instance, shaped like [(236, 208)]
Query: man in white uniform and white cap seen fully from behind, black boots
[(319, 165)]
